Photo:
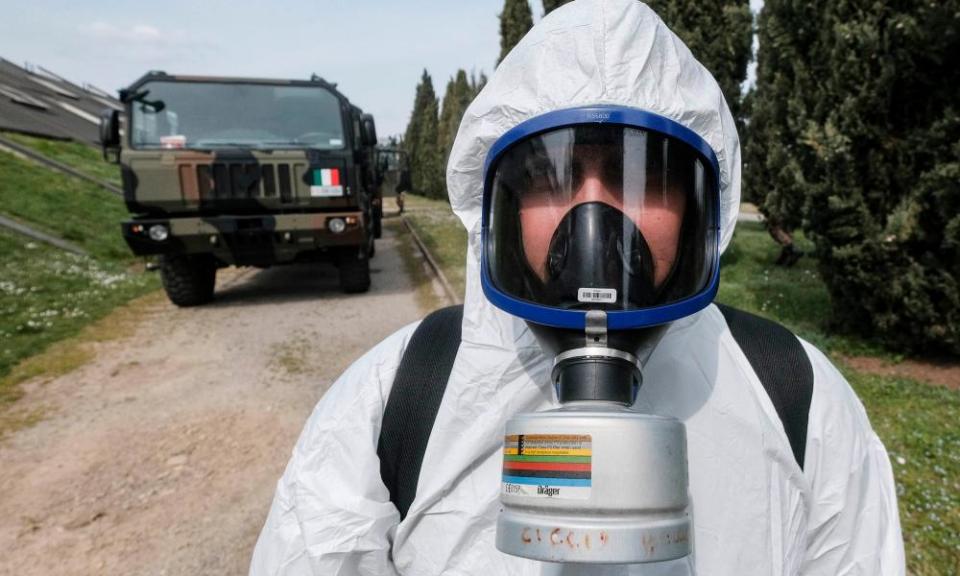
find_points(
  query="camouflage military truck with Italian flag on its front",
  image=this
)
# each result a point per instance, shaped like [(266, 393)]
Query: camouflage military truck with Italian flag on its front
[(244, 172)]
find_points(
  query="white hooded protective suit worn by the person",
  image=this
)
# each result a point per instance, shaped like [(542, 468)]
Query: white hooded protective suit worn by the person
[(755, 511)]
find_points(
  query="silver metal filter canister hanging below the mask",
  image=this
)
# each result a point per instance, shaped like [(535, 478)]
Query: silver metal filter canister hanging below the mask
[(594, 485)]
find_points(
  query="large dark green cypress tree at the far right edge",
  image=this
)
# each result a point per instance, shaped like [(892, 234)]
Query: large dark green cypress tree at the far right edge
[(883, 143)]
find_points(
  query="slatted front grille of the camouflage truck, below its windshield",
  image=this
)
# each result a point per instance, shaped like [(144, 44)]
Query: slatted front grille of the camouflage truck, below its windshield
[(237, 181)]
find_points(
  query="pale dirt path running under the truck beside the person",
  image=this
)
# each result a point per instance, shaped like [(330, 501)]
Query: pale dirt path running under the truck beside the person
[(161, 456)]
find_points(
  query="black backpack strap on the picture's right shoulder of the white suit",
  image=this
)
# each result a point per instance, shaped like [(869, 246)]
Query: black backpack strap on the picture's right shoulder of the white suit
[(783, 367)]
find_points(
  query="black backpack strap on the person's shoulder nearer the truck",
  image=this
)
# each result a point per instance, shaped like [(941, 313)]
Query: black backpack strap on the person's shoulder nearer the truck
[(414, 401)]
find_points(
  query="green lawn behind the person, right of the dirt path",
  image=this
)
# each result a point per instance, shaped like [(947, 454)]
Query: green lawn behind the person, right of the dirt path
[(917, 422)]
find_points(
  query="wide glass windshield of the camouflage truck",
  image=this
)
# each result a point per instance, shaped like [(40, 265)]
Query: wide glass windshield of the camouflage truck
[(206, 115)]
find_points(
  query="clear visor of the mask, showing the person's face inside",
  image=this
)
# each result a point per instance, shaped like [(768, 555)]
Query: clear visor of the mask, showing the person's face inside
[(600, 216)]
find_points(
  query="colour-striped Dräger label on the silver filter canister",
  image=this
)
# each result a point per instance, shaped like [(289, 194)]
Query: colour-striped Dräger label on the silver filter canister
[(547, 465)]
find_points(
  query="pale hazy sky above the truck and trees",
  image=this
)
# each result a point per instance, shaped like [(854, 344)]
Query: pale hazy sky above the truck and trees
[(374, 49)]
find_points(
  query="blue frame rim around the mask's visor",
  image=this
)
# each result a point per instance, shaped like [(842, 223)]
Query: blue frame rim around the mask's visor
[(620, 319)]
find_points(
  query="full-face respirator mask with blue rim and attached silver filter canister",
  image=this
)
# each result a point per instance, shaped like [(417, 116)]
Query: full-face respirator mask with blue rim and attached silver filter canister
[(600, 226)]
